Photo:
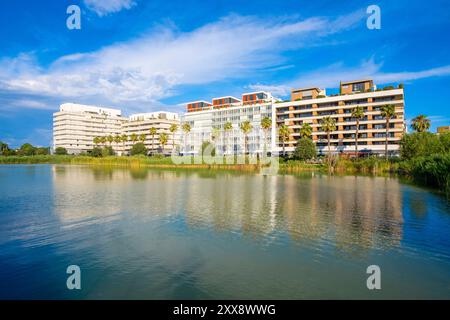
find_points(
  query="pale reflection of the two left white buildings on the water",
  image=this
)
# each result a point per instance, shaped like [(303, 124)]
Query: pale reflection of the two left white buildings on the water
[(85, 195)]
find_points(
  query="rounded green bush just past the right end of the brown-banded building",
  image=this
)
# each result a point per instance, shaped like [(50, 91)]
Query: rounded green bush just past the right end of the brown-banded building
[(420, 144)]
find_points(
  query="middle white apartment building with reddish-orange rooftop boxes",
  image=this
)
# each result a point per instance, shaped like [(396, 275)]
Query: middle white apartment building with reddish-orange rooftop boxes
[(208, 122)]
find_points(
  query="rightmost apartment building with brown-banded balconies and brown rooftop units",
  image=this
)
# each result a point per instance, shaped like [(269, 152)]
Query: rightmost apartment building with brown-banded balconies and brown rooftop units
[(311, 105)]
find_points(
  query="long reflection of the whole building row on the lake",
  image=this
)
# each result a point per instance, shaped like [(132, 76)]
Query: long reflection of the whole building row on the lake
[(350, 213)]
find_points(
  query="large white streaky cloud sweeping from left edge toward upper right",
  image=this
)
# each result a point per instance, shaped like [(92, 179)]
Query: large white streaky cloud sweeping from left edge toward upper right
[(147, 69)]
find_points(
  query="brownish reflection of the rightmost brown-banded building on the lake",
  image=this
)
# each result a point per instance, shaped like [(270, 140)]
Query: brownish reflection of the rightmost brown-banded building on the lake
[(361, 211)]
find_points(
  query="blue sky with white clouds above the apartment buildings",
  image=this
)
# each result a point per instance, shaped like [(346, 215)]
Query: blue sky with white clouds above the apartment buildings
[(141, 55)]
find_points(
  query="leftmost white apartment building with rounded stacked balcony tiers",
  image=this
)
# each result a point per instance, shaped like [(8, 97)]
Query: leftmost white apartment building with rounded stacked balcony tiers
[(75, 126)]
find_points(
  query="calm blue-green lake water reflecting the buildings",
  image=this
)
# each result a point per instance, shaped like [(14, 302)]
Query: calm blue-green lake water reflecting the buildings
[(150, 234)]
